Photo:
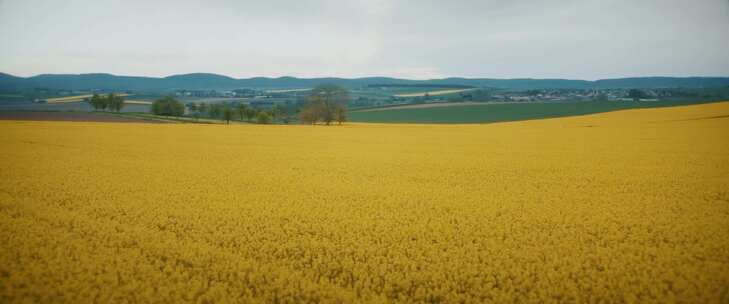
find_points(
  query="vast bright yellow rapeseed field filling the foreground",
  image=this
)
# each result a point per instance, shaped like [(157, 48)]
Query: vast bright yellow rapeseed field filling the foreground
[(629, 206)]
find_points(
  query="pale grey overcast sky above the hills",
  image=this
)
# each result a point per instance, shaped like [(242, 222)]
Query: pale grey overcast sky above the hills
[(581, 39)]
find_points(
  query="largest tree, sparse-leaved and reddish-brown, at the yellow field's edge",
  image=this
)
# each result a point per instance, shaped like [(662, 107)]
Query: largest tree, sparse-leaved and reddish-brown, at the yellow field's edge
[(323, 103)]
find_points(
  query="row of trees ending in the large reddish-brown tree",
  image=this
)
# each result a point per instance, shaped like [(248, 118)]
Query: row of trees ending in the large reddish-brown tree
[(324, 104)]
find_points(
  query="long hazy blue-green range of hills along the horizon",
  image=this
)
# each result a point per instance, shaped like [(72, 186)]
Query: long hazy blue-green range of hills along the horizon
[(214, 81)]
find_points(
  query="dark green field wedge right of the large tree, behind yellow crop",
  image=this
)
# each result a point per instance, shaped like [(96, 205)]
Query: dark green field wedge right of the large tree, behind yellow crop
[(486, 112)]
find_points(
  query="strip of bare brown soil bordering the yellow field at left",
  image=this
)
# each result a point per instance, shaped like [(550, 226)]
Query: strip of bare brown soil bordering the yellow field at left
[(68, 116)]
